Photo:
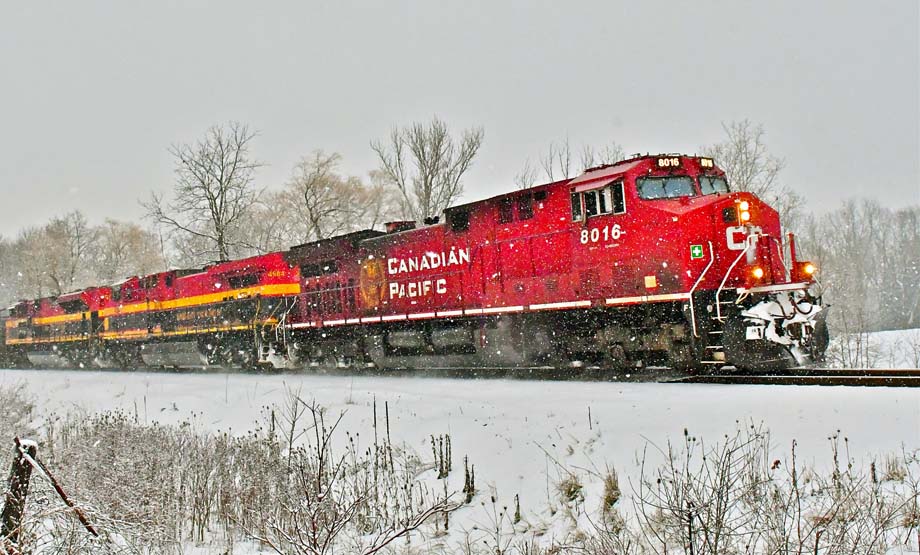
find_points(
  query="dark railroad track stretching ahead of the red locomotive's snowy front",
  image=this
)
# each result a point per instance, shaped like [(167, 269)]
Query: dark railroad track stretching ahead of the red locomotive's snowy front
[(814, 376)]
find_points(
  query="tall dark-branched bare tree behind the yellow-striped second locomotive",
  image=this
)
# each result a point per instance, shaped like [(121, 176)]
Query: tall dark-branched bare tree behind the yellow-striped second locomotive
[(213, 190)]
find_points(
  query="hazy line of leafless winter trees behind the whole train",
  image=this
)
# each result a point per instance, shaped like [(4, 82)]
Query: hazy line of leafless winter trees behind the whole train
[(869, 255)]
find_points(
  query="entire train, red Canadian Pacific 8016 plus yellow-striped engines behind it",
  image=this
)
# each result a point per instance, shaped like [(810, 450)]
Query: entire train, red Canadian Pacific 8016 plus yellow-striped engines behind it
[(650, 261)]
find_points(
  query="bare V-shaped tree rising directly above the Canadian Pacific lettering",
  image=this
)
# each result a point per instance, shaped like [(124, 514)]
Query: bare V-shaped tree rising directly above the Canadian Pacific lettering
[(426, 165)]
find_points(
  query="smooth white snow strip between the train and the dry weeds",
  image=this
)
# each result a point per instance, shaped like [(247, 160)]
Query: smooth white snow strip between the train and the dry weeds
[(512, 430)]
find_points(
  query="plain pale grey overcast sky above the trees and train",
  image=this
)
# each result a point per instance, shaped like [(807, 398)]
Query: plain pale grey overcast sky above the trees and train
[(92, 94)]
